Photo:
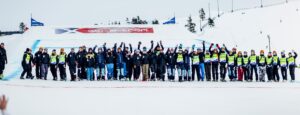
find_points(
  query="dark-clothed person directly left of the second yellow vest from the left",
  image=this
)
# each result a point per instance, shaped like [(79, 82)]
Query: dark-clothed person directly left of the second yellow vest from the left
[(45, 60)]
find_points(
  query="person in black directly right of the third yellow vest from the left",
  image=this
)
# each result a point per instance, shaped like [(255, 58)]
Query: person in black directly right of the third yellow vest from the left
[(71, 62)]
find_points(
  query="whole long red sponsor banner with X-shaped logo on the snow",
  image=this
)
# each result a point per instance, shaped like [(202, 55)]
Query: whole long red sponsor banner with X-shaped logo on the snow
[(106, 30)]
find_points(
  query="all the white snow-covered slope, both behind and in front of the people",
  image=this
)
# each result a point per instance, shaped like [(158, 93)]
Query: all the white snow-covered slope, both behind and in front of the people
[(245, 30)]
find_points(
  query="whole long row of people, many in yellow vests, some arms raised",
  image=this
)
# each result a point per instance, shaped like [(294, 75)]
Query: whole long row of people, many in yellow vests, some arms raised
[(120, 63)]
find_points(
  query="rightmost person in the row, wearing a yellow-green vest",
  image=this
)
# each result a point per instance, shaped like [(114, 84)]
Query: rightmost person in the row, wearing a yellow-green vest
[(292, 64)]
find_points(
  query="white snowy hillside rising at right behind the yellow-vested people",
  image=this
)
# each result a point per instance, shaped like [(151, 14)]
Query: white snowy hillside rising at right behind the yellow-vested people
[(249, 29)]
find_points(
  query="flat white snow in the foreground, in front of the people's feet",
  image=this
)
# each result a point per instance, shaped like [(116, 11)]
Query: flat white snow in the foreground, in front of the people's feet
[(148, 98)]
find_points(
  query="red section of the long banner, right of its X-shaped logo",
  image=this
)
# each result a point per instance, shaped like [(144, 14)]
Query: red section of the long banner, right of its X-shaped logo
[(116, 30)]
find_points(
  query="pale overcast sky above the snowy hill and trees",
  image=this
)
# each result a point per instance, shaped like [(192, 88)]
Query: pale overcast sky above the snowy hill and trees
[(88, 12)]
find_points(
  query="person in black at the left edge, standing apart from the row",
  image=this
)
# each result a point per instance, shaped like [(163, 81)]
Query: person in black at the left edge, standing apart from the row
[(3, 60)]
